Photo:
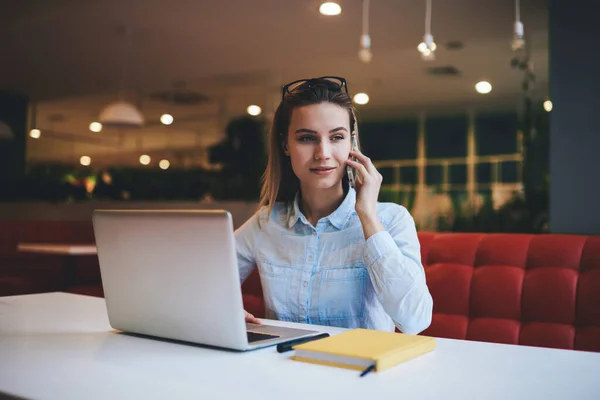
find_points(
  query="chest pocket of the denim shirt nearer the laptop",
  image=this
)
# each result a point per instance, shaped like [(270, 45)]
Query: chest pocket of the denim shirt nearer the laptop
[(277, 284)]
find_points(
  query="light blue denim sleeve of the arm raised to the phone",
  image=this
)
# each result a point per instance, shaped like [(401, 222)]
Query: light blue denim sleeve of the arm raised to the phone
[(393, 259)]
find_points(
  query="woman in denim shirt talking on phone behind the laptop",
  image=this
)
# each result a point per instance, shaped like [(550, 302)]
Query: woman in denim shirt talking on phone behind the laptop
[(327, 253)]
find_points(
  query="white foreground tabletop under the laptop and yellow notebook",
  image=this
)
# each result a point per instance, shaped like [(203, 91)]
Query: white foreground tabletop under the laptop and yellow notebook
[(60, 346)]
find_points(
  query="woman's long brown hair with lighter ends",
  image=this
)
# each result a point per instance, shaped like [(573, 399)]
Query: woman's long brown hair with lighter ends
[(279, 183)]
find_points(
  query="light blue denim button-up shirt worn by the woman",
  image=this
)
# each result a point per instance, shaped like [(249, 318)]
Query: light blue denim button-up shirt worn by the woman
[(329, 275)]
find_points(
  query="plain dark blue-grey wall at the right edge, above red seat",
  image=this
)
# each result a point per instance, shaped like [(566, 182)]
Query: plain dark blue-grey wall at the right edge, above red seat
[(574, 128)]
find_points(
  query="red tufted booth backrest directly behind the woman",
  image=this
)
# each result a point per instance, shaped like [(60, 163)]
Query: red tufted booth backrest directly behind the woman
[(539, 290)]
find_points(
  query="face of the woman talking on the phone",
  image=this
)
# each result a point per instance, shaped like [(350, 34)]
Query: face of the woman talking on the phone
[(318, 144)]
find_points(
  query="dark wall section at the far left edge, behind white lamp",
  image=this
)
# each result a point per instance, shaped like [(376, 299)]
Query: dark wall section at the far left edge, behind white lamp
[(13, 112)]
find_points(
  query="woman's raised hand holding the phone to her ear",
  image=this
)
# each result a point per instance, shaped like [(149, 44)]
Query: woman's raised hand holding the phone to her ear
[(367, 185)]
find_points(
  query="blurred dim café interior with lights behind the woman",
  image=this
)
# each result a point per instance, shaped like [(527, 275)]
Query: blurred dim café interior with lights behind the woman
[(155, 103)]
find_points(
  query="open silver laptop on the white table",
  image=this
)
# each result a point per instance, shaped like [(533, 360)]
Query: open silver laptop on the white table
[(174, 275)]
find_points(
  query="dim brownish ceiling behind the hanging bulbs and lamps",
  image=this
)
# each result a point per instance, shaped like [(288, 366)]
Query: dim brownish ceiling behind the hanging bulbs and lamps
[(67, 55)]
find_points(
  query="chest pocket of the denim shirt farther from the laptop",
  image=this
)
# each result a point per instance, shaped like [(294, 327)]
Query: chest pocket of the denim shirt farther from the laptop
[(342, 293)]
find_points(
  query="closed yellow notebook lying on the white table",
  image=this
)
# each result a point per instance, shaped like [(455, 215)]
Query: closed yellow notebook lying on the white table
[(362, 348)]
